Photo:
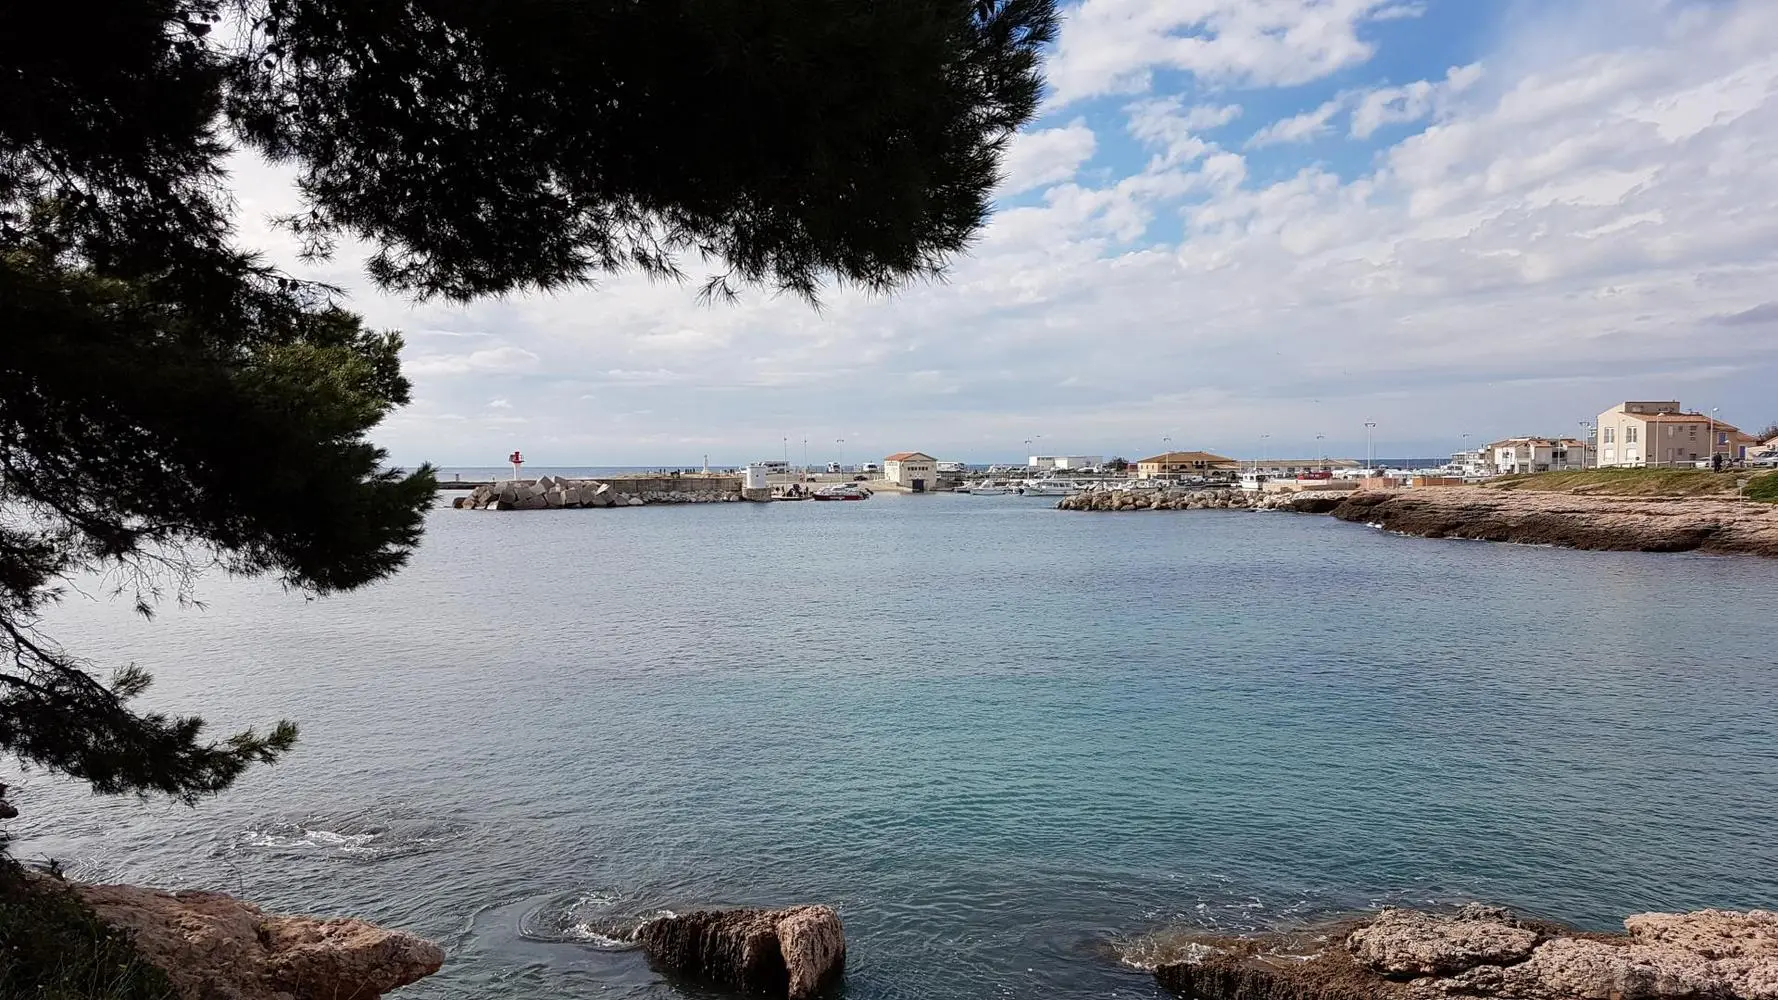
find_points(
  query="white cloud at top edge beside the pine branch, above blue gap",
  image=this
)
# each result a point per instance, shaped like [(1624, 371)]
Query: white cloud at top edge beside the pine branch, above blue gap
[(1114, 47)]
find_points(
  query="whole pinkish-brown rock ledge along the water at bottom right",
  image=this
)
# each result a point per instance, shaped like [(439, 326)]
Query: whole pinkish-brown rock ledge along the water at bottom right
[(1482, 951)]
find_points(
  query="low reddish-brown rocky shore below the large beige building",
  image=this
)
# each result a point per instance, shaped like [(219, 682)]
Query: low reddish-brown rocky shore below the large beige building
[(1571, 520)]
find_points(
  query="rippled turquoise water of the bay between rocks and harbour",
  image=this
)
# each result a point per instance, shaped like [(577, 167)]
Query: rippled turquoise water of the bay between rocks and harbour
[(998, 738)]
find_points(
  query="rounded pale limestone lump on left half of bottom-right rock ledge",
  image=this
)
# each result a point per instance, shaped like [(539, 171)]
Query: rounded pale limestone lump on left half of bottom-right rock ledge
[(1409, 942)]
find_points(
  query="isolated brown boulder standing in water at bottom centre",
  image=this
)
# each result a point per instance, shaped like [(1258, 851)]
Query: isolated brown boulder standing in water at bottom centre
[(785, 953)]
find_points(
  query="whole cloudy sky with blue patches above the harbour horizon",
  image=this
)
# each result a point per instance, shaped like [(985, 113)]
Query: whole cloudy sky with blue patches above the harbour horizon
[(1238, 225)]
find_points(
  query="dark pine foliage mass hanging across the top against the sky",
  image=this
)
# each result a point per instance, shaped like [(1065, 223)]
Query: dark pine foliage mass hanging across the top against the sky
[(783, 140)]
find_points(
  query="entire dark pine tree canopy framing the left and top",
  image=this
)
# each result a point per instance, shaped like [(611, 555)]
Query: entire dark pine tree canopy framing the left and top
[(172, 403)]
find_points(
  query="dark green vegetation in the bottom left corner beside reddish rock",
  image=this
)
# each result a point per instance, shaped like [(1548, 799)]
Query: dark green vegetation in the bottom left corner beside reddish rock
[(52, 948)]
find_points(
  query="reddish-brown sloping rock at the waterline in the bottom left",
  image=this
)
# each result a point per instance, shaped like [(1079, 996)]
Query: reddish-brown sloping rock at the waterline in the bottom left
[(218, 948)]
